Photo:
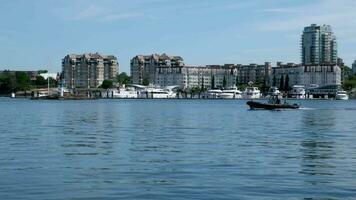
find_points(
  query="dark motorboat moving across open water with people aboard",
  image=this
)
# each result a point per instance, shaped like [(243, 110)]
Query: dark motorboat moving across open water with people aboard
[(275, 102)]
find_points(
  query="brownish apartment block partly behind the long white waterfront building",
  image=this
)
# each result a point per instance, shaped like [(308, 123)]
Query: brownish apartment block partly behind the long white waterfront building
[(144, 68)]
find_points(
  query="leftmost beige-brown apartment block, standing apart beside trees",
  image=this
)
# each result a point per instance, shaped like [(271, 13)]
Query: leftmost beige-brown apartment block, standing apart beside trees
[(88, 70)]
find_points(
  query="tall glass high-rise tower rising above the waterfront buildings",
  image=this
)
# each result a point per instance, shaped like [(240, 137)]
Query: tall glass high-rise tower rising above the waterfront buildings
[(318, 45)]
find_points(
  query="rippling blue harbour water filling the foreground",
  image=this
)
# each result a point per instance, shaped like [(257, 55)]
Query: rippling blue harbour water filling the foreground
[(176, 149)]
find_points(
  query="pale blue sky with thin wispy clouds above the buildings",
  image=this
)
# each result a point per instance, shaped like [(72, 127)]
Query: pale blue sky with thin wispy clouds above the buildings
[(38, 34)]
